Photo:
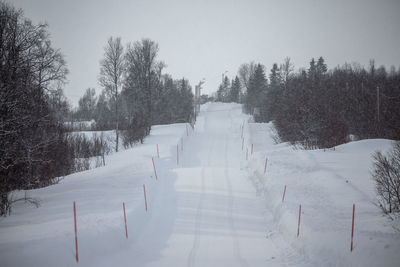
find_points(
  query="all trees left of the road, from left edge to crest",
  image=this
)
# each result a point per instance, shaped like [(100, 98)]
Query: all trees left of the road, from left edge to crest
[(36, 147)]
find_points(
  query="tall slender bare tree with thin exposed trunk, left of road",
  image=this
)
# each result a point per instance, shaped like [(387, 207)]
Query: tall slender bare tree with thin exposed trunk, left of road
[(111, 70)]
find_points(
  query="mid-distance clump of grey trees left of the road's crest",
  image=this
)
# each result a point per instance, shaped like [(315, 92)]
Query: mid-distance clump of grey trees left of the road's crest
[(136, 93)]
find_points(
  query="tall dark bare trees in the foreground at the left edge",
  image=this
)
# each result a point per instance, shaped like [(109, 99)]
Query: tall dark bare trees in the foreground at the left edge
[(33, 148)]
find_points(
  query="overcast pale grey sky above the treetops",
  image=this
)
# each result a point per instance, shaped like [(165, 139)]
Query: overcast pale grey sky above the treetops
[(203, 39)]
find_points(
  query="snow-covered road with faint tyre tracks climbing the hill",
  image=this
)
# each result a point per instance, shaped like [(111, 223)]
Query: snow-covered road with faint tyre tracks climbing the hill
[(219, 220)]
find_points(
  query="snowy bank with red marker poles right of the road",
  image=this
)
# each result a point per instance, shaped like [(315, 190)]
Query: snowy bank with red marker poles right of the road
[(326, 184)]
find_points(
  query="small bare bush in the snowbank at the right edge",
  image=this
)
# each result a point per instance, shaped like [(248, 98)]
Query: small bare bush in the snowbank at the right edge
[(386, 174)]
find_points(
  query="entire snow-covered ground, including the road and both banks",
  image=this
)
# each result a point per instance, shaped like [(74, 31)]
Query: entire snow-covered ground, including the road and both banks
[(214, 208)]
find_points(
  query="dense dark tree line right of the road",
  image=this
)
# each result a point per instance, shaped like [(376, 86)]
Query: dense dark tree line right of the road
[(321, 108)]
